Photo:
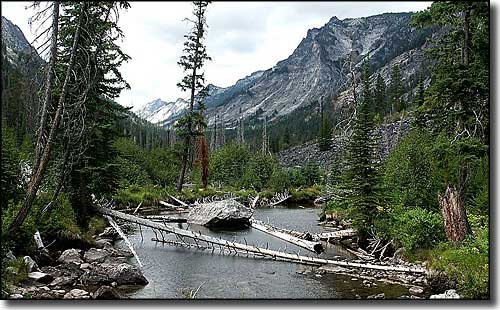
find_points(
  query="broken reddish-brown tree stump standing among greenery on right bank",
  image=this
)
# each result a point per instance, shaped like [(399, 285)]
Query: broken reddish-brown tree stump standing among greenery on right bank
[(454, 214)]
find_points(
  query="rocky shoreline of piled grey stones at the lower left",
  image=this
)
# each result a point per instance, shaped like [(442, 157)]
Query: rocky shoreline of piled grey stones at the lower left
[(101, 272)]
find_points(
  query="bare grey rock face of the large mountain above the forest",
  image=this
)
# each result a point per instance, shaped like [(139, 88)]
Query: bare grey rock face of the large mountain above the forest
[(320, 65)]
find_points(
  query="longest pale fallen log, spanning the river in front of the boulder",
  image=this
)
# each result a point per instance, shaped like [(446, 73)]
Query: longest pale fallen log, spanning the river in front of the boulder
[(249, 249)]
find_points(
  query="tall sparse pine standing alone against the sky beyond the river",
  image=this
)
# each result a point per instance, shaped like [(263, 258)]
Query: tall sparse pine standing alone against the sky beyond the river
[(192, 62)]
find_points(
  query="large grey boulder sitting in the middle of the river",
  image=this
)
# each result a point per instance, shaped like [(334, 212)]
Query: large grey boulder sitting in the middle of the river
[(221, 214)]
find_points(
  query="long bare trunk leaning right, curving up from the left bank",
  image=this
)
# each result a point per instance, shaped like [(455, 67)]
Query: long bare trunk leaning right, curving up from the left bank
[(37, 176)]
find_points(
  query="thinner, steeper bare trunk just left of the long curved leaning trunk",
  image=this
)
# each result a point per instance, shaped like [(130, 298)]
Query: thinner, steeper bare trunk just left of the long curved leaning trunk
[(48, 86)]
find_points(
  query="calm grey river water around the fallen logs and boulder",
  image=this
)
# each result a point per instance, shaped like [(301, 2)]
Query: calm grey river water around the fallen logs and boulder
[(173, 271)]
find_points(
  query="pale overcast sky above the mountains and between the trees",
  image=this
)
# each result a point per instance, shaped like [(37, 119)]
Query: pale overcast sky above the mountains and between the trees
[(243, 37)]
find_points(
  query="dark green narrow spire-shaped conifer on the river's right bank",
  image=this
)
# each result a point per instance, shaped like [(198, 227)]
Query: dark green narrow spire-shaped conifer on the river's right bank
[(361, 177)]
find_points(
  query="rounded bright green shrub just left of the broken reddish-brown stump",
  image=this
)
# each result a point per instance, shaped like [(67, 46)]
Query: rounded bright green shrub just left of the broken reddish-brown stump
[(417, 228)]
